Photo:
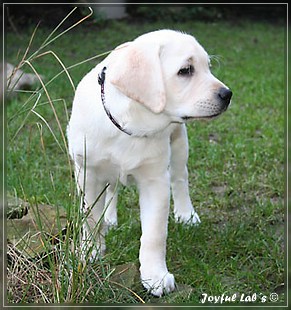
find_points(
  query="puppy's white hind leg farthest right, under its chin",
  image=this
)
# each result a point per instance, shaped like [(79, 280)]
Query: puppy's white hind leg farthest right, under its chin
[(183, 209)]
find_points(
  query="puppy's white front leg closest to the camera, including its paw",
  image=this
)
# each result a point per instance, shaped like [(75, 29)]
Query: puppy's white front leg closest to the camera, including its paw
[(154, 204)]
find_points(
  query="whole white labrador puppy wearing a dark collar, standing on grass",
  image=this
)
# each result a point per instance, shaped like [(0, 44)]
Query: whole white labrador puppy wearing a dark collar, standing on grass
[(128, 119)]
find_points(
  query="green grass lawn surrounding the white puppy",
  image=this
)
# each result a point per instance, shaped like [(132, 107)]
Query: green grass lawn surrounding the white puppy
[(236, 167)]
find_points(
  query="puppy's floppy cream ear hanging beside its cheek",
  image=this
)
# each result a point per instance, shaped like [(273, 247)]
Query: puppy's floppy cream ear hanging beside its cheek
[(136, 72)]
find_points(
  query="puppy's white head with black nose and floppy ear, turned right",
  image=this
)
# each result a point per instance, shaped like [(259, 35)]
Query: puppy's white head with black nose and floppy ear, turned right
[(169, 72)]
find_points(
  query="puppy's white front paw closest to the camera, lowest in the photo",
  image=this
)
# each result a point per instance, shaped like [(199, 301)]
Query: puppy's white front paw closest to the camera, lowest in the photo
[(159, 284)]
